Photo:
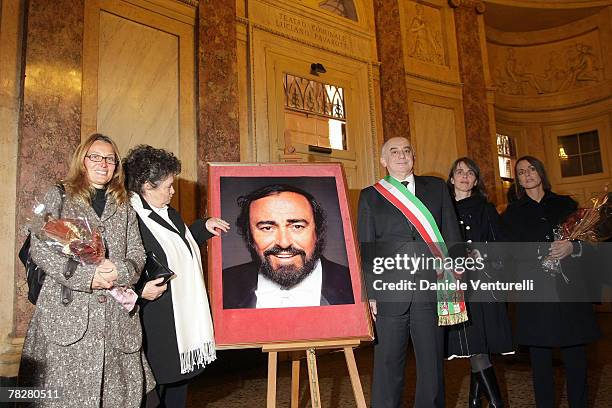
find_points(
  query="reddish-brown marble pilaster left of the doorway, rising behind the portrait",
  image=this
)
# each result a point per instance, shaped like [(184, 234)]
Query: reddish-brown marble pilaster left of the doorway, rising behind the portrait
[(218, 116)]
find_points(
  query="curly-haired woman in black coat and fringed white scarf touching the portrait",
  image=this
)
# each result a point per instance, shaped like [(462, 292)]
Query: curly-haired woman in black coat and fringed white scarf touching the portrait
[(178, 332)]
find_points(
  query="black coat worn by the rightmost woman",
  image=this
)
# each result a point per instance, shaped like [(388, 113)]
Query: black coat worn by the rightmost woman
[(550, 324)]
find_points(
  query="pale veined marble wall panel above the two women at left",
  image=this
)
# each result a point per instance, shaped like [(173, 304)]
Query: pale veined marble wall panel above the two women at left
[(138, 84)]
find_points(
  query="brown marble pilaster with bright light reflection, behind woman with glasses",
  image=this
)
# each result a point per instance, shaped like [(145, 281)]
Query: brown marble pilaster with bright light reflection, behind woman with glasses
[(51, 113)]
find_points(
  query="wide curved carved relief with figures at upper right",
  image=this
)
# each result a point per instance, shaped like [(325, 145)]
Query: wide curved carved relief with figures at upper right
[(553, 68)]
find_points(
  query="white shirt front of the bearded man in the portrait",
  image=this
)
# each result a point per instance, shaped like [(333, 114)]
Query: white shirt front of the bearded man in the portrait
[(306, 293)]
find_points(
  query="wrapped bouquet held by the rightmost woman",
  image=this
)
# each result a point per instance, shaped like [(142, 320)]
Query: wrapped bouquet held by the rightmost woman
[(585, 224)]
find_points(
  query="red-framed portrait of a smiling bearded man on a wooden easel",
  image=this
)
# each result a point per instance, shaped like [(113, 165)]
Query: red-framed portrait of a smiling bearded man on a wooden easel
[(288, 270)]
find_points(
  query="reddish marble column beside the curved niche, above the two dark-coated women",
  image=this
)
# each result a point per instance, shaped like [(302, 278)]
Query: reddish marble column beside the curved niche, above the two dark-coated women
[(468, 26)]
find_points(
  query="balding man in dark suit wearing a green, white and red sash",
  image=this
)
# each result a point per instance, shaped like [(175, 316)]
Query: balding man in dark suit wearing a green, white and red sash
[(414, 315)]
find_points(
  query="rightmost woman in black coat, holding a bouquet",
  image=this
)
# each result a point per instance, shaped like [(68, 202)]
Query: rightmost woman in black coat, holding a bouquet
[(545, 325)]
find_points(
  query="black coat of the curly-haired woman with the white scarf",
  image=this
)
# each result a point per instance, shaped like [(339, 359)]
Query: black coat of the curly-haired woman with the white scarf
[(157, 317)]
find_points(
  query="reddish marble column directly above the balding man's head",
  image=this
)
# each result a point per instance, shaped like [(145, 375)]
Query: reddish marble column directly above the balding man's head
[(394, 92)]
